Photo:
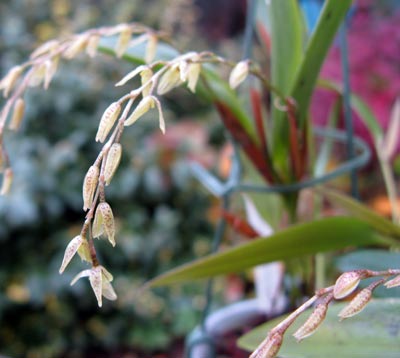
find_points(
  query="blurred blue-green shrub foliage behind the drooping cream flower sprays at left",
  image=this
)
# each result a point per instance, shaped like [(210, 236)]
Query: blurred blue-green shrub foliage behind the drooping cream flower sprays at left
[(160, 211)]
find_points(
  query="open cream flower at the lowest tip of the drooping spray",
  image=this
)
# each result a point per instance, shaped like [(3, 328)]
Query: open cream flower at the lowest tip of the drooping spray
[(100, 280)]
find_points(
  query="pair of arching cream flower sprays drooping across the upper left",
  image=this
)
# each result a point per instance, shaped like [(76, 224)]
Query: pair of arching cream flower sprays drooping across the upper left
[(156, 79)]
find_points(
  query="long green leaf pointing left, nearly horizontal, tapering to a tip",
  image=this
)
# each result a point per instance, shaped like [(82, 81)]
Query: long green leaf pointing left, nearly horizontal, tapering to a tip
[(304, 239)]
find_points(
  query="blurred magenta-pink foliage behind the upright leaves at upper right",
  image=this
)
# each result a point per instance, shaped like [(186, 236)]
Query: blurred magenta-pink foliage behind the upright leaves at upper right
[(374, 57)]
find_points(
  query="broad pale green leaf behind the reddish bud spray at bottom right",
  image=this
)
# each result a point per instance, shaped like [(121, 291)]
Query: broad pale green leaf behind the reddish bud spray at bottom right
[(372, 333)]
